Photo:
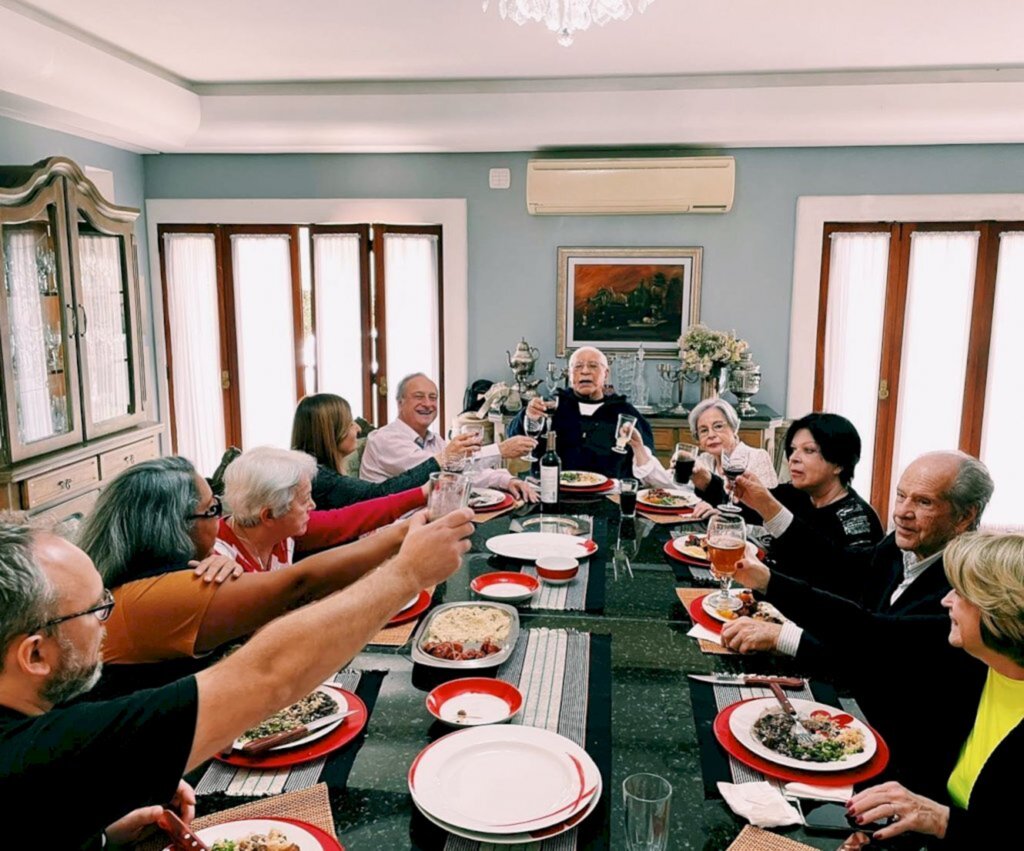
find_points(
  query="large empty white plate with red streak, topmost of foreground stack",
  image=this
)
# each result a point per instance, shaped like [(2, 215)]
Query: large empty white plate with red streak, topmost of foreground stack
[(508, 780)]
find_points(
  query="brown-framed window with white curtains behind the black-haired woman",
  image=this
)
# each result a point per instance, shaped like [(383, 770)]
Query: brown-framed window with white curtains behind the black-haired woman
[(911, 349)]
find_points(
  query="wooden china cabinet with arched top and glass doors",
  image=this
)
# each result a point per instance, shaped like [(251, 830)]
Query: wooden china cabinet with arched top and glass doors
[(73, 401)]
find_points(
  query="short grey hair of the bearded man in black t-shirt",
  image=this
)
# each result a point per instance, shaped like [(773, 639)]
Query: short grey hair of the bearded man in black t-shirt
[(27, 597)]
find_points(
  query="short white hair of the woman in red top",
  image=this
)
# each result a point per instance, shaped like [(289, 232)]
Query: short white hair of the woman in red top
[(266, 478)]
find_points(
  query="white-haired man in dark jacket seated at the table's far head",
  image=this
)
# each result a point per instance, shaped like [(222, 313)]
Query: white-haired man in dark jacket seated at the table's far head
[(585, 418)]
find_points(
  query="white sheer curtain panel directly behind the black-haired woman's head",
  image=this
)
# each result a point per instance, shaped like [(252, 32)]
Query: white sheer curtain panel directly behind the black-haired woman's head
[(859, 268)]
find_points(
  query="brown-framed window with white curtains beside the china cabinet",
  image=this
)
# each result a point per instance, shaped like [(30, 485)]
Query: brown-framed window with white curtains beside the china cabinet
[(260, 316)]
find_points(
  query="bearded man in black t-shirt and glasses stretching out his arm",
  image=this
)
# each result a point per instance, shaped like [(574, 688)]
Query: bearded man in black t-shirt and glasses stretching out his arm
[(89, 764)]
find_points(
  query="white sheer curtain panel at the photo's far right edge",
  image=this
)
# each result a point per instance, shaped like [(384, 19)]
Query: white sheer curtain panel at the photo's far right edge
[(1001, 448)]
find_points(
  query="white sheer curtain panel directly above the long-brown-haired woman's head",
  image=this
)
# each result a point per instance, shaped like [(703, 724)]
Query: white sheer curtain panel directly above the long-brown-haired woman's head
[(339, 342)]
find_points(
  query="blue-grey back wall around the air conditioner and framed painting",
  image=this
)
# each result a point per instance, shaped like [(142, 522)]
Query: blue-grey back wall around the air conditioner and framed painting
[(748, 262)]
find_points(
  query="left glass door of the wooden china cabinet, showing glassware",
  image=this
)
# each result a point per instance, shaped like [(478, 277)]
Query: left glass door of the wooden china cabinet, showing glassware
[(40, 397)]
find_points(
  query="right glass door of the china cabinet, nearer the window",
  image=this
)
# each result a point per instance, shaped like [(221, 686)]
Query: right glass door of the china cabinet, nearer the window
[(107, 308)]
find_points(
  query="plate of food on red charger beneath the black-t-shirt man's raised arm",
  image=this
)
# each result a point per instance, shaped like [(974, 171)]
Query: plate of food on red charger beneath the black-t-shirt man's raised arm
[(317, 745)]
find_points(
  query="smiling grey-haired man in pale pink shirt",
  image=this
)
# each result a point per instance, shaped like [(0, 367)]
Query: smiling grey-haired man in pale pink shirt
[(408, 441)]
